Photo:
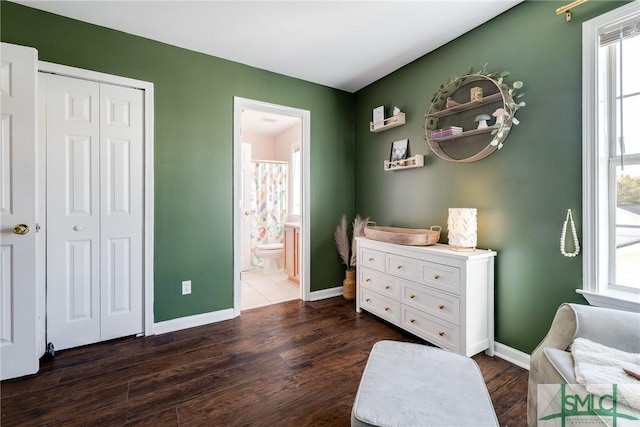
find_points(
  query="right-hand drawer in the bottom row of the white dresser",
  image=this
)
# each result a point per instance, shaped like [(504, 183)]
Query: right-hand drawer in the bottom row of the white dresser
[(439, 332)]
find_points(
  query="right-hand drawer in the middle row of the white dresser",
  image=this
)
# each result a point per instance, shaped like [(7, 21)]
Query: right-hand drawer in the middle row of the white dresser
[(440, 305)]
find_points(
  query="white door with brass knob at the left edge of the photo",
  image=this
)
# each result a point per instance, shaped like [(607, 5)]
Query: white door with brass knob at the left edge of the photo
[(18, 292)]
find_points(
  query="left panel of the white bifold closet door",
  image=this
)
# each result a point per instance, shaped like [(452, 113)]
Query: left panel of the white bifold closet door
[(73, 211)]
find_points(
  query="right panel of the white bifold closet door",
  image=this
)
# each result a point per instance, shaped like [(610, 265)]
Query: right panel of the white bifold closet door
[(121, 165)]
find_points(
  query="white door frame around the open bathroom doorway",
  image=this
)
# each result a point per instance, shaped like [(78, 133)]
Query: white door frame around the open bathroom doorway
[(305, 116)]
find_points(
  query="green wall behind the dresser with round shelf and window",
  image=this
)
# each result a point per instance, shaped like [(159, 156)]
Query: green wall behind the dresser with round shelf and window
[(522, 191)]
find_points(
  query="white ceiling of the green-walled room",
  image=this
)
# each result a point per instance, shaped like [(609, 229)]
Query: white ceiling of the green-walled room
[(341, 44)]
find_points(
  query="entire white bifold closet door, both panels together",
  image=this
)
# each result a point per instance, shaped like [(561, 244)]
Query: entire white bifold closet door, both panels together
[(94, 211)]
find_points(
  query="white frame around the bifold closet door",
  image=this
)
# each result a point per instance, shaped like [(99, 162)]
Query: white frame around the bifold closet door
[(147, 88)]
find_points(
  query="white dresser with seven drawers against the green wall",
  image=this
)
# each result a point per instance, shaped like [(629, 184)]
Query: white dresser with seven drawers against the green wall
[(440, 295)]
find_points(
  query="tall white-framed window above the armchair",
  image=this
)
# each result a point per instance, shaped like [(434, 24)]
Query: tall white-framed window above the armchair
[(611, 158)]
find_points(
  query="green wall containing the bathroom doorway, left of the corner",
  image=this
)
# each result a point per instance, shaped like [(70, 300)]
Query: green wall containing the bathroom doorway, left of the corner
[(194, 150)]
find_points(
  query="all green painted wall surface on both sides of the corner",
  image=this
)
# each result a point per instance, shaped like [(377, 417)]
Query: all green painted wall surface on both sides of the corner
[(521, 191)]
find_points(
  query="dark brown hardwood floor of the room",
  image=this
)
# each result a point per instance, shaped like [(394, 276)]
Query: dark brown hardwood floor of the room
[(290, 364)]
